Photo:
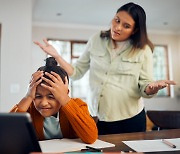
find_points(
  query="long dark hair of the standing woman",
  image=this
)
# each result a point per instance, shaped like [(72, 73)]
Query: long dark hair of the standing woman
[(139, 38)]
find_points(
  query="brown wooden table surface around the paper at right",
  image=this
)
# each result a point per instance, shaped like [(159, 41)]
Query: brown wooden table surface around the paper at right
[(152, 135)]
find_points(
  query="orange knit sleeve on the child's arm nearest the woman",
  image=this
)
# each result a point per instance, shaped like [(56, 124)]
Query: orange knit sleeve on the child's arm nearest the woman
[(82, 123)]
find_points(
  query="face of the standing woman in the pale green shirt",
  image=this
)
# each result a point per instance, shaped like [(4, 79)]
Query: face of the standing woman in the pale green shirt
[(122, 26)]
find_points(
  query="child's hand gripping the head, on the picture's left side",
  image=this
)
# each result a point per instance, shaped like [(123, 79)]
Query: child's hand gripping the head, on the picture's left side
[(35, 80)]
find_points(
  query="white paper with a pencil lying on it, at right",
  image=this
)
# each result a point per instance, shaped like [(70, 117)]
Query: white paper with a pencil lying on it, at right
[(153, 145)]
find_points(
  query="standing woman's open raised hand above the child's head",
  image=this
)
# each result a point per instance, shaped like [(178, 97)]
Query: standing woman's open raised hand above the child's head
[(47, 48)]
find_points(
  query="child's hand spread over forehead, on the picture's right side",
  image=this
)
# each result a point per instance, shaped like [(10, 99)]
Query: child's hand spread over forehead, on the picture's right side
[(57, 87)]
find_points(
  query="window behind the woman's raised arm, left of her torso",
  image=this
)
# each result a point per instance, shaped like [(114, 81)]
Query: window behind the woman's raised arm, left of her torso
[(70, 51)]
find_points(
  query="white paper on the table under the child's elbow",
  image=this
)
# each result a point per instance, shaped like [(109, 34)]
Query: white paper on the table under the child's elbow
[(68, 145)]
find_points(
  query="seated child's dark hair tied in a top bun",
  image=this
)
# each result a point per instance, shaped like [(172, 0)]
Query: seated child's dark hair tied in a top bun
[(51, 65)]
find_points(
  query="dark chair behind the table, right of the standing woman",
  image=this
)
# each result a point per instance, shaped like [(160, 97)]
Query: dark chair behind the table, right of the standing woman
[(165, 119)]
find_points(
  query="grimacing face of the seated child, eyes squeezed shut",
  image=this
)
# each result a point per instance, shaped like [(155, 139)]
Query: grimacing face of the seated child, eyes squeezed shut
[(45, 102)]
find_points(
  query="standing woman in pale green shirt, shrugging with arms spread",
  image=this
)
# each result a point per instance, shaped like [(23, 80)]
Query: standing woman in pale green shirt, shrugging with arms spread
[(121, 68)]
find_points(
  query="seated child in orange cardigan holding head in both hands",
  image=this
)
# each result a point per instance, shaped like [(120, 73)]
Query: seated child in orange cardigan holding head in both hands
[(54, 113)]
